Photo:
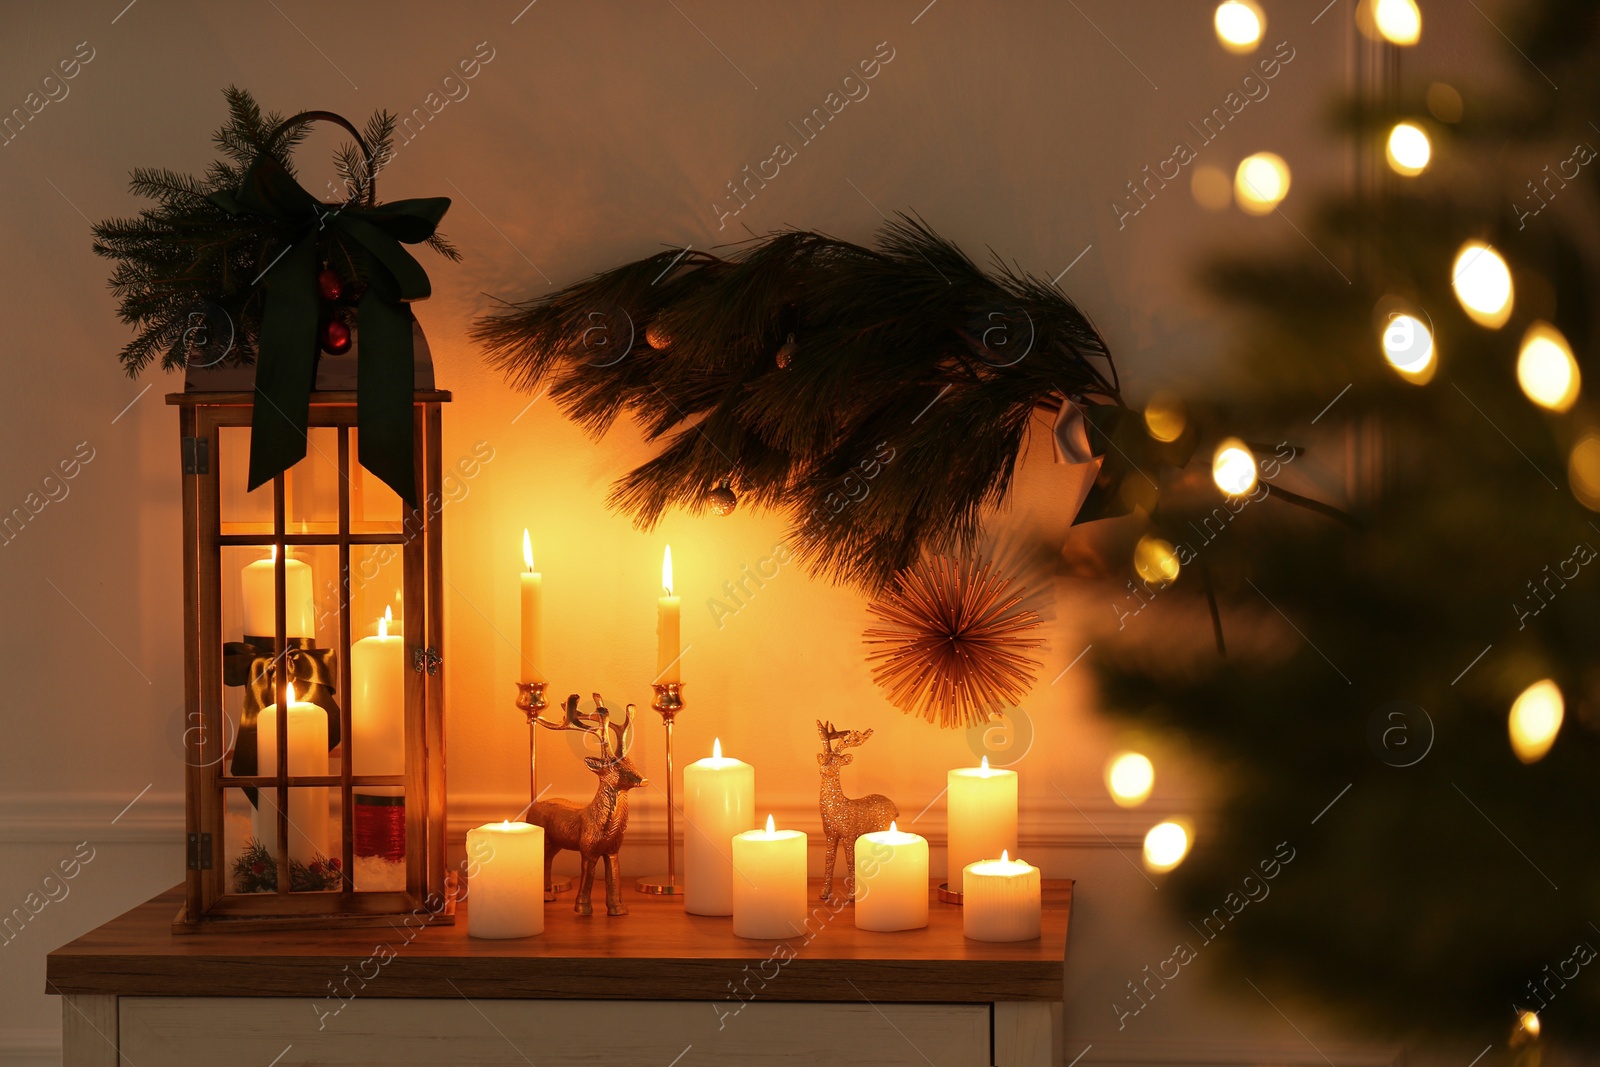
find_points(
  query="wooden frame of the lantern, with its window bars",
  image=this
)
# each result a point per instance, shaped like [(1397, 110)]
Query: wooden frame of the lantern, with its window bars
[(209, 900)]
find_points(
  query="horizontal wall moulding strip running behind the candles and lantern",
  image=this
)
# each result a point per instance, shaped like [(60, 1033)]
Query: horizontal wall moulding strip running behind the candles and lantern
[(158, 818)]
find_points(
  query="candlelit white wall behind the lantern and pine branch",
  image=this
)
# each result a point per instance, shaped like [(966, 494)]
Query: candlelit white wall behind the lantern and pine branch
[(601, 134)]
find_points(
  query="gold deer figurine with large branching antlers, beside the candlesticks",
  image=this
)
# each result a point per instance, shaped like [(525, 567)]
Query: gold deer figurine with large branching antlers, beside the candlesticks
[(594, 831)]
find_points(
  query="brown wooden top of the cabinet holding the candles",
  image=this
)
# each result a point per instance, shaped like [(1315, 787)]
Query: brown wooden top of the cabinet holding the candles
[(657, 953)]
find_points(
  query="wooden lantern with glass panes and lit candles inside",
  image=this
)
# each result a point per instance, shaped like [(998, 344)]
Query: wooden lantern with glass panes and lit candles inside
[(321, 591)]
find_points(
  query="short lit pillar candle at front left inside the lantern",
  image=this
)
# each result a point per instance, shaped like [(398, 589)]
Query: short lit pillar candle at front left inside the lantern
[(308, 727)]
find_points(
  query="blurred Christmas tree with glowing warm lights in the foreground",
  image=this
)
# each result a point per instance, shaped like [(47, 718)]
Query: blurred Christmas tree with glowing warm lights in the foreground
[(1447, 849)]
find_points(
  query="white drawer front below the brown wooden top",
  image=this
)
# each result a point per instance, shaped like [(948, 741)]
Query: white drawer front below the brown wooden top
[(289, 1033)]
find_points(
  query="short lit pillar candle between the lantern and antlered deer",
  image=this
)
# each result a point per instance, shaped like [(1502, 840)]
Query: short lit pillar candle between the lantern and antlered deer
[(506, 881)]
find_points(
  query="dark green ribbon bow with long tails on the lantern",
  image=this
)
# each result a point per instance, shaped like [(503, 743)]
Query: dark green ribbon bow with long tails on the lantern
[(287, 353)]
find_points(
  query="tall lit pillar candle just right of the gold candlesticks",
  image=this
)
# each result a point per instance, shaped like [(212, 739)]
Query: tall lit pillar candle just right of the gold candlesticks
[(719, 801)]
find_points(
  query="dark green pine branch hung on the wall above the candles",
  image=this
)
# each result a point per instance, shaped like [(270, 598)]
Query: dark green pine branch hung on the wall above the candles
[(879, 398)]
